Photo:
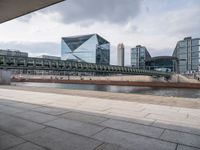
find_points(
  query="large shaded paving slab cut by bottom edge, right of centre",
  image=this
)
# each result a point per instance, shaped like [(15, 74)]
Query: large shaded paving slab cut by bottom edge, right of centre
[(133, 141)]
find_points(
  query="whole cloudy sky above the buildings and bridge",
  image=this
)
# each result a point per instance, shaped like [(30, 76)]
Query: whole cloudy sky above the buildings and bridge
[(156, 24)]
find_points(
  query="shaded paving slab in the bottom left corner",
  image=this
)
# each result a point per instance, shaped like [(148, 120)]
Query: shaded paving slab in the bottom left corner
[(7, 141)]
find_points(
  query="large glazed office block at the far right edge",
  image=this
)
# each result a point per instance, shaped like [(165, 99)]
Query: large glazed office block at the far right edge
[(188, 53)]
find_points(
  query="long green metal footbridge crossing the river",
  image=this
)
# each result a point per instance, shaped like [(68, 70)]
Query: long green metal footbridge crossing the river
[(32, 63)]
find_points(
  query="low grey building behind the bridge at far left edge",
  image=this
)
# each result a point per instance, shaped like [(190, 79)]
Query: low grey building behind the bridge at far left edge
[(14, 53)]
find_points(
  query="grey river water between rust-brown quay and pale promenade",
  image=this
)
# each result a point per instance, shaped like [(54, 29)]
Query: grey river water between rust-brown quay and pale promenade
[(188, 93)]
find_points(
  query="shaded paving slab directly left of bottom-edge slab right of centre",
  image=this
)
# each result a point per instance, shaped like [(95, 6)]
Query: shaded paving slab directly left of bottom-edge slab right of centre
[(78, 127)]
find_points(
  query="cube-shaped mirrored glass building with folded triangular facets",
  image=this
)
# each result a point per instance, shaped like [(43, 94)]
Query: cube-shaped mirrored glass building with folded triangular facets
[(86, 48)]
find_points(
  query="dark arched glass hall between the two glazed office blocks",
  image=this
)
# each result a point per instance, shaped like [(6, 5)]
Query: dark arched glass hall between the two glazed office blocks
[(162, 63)]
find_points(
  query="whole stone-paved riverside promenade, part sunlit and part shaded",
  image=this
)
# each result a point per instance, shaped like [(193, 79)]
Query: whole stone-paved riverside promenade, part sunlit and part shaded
[(56, 119)]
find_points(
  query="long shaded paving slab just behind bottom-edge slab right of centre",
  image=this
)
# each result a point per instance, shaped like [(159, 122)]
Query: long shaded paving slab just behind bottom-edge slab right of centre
[(134, 128)]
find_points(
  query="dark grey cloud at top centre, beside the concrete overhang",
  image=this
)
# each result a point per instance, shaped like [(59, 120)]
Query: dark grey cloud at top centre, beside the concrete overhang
[(114, 11)]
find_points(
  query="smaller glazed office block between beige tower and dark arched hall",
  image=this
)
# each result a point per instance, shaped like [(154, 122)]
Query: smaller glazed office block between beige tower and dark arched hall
[(139, 55)]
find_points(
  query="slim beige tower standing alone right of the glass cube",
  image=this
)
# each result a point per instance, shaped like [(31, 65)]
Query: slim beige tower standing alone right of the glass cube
[(120, 54)]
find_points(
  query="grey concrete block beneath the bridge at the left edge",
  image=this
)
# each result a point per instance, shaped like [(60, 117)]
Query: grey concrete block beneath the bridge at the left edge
[(5, 77)]
